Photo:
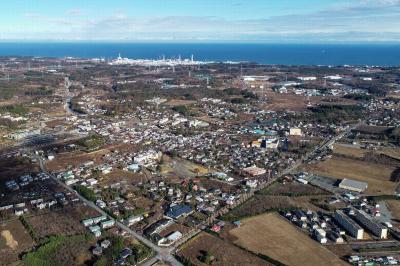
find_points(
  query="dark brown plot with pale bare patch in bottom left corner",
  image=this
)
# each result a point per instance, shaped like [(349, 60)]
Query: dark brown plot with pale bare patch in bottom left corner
[(13, 240)]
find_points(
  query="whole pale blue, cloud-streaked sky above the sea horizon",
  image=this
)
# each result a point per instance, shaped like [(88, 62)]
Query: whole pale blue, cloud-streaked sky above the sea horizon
[(287, 21)]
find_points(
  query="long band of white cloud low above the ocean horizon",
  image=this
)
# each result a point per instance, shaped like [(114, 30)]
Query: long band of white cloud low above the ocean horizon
[(356, 22)]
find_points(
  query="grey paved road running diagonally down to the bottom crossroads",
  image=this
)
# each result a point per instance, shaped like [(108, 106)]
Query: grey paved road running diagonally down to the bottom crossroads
[(164, 254)]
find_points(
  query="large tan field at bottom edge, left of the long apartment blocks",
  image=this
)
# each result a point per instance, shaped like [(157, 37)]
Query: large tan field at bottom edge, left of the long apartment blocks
[(271, 235)]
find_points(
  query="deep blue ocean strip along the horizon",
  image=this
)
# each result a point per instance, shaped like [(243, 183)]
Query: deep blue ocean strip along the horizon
[(278, 54)]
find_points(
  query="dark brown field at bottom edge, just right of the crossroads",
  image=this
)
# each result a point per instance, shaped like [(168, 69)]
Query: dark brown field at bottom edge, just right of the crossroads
[(226, 253)]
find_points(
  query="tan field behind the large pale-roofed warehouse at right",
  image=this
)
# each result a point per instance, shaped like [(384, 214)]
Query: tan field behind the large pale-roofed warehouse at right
[(377, 175)]
